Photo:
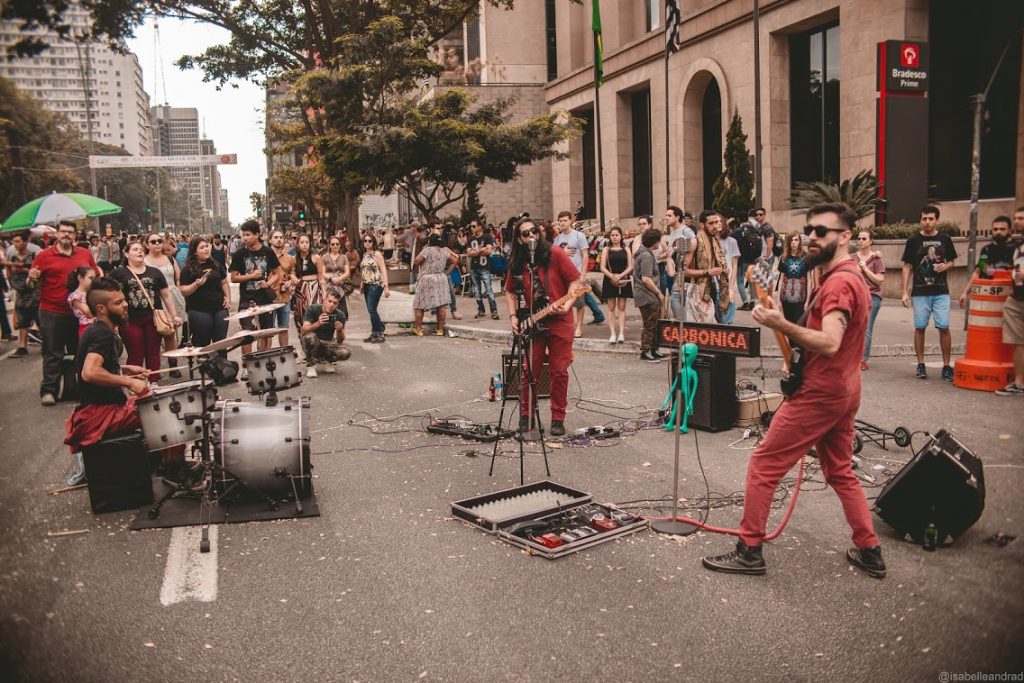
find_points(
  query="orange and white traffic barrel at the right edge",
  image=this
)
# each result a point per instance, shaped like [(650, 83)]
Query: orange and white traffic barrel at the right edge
[(989, 364)]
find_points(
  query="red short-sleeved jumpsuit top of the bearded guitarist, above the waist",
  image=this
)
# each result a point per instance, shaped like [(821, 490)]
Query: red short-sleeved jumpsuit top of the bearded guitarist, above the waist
[(844, 289)]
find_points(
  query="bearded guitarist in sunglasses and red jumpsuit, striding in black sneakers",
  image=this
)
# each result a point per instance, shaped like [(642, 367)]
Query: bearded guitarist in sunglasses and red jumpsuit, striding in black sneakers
[(822, 412)]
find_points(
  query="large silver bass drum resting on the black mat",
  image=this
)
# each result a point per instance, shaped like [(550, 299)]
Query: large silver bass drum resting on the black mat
[(264, 445)]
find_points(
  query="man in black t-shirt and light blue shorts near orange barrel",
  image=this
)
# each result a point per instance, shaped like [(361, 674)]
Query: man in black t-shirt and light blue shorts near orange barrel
[(928, 257)]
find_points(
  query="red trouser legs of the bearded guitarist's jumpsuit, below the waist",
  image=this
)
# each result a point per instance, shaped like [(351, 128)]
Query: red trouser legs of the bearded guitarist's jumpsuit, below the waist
[(828, 424)]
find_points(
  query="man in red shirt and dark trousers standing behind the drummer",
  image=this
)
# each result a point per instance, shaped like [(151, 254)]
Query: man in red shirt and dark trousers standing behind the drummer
[(58, 325)]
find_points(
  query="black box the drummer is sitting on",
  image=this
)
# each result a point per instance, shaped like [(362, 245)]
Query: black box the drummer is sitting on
[(119, 474)]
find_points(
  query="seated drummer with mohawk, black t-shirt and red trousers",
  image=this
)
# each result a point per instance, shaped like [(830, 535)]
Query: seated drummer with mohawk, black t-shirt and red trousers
[(105, 410)]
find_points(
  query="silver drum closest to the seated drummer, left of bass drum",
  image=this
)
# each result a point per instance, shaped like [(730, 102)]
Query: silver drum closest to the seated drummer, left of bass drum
[(163, 414)]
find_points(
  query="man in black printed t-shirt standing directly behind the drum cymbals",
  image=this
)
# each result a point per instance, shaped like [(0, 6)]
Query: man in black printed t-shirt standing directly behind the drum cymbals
[(255, 268)]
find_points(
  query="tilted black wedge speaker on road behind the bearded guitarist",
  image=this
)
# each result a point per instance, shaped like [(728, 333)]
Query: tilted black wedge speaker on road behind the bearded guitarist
[(944, 485)]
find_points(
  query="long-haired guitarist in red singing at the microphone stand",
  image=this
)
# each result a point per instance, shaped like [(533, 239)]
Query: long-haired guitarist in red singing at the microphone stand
[(553, 275)]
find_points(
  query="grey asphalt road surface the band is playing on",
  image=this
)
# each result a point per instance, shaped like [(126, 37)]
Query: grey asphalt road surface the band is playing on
[(387, 586)]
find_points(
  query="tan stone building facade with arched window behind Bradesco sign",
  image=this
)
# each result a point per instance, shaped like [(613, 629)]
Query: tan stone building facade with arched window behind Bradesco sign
[(813, 129)]
